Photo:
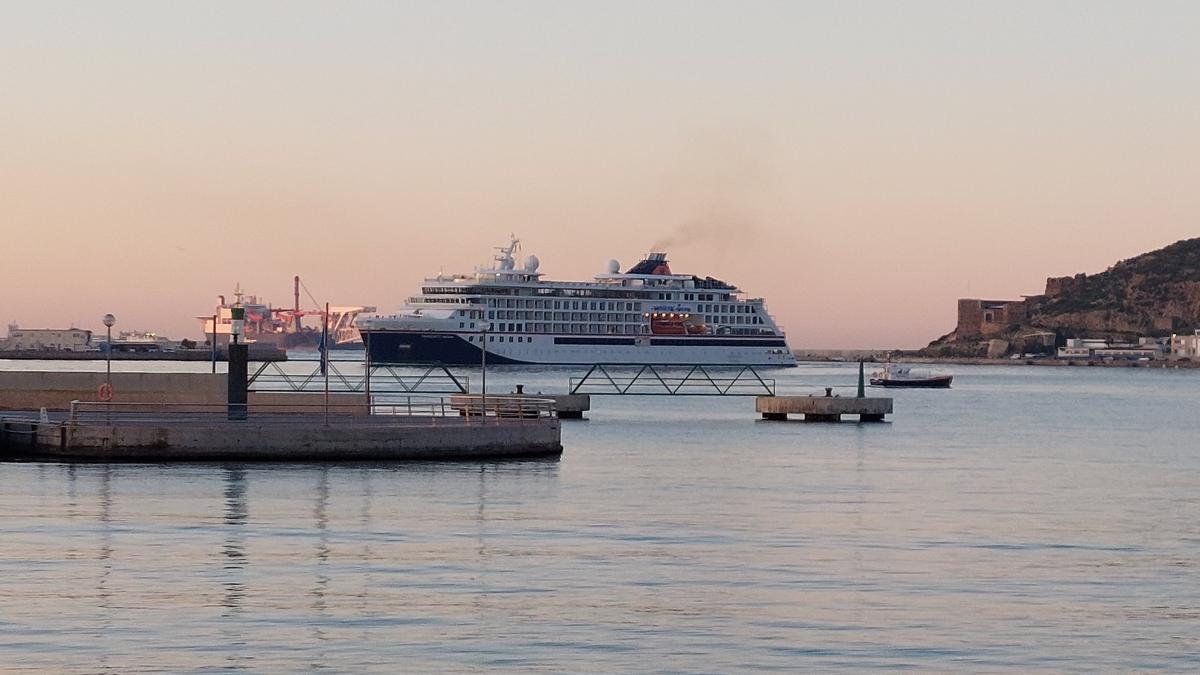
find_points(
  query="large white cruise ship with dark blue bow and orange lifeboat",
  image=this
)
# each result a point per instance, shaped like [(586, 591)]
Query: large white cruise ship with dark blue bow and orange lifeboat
[(646, 315)]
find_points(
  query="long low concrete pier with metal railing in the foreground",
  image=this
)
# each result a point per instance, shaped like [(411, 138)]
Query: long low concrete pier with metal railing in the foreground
[(154, 434)]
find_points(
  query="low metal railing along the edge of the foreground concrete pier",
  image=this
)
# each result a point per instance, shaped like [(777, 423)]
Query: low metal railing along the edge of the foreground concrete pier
[(399, 410)]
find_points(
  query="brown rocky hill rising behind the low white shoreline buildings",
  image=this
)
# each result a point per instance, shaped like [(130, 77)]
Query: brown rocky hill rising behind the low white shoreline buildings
[(1153, 295)]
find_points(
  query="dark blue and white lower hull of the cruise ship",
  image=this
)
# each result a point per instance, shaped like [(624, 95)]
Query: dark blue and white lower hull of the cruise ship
[(398, 347)]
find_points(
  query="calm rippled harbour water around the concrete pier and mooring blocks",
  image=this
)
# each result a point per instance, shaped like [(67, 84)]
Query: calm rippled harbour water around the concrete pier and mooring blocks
[(1029, 519)]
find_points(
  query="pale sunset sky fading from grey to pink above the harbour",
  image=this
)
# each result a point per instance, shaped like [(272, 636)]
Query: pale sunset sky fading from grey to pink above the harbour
[(861, 168)]
